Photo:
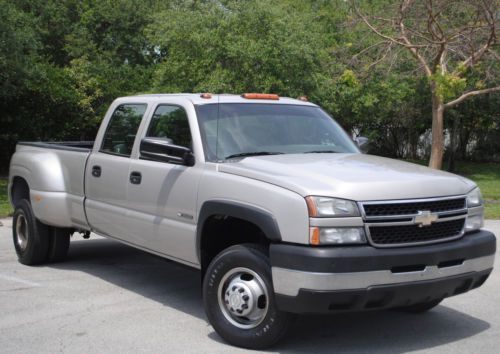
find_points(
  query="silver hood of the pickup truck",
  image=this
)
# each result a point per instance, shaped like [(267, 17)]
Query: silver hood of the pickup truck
[(356, 177)]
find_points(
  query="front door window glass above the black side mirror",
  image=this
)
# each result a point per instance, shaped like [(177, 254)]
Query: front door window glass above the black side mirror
[(170, 123)]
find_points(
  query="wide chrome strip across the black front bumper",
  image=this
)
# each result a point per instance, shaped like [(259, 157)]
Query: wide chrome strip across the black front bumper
[(289, 282)]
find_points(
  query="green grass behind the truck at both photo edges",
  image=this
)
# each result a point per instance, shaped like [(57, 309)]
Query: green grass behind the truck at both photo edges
[(486, 175)]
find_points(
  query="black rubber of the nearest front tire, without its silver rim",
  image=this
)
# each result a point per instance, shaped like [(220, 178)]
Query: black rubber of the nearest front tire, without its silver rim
[(272, 326)]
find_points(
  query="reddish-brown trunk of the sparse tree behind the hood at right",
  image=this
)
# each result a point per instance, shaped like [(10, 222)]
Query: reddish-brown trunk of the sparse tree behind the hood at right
[(437, 148)]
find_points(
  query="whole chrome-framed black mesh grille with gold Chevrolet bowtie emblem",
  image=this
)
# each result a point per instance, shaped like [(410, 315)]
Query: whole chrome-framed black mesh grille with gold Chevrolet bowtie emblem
[(401, 223)]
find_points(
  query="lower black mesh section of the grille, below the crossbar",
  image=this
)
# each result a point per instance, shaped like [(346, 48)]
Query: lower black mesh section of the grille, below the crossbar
[(404, 234)]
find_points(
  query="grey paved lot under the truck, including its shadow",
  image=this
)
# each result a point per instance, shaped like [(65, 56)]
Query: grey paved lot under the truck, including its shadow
[(111, 298)]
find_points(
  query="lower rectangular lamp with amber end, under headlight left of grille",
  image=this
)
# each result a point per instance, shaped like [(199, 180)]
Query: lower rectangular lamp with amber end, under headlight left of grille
[(337, 235)]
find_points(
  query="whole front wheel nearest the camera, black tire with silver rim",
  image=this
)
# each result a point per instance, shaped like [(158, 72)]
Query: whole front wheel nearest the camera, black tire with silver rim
[(241, 276)]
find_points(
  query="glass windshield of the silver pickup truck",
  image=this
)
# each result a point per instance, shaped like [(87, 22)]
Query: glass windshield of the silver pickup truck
[(250, 129)]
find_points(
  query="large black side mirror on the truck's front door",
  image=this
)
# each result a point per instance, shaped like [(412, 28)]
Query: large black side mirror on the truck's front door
[(162, 150)]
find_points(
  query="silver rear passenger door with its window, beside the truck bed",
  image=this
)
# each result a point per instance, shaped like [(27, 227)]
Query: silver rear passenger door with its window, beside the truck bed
[(107, 172)]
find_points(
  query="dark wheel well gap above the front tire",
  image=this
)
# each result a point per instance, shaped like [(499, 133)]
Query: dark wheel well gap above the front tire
[(222, 231)]
